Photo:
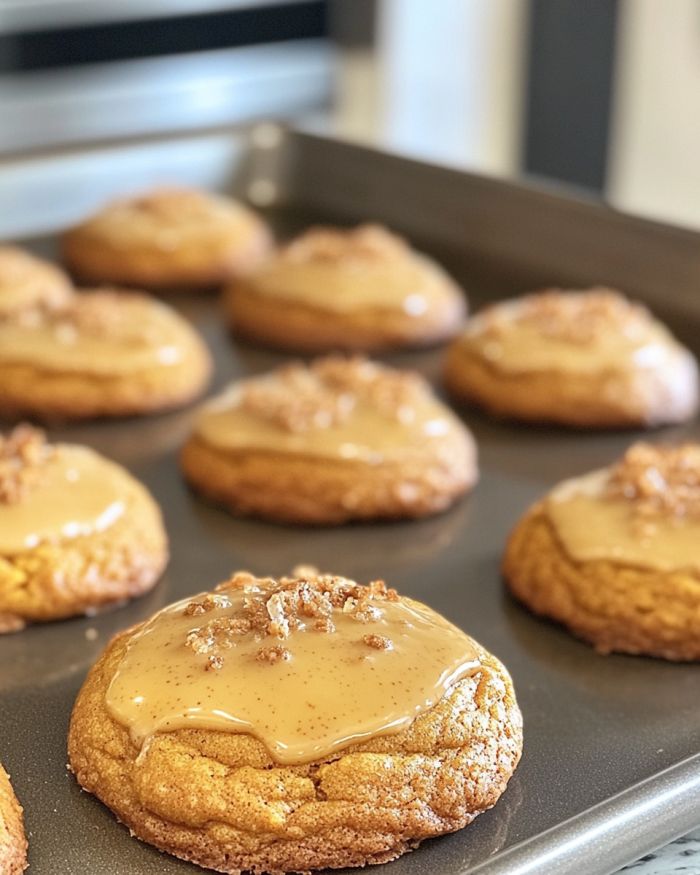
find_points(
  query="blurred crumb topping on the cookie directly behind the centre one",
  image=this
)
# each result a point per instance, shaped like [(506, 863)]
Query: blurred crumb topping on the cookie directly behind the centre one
[(366, 243)]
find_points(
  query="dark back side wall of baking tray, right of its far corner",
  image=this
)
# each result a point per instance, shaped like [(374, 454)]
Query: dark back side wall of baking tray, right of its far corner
[(649, 255)]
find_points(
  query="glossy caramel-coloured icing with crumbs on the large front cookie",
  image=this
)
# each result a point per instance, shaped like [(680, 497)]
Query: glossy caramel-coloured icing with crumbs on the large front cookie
[(367, 667)]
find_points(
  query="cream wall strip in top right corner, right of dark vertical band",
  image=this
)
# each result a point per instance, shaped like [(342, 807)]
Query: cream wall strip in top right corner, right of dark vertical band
[(655, 143)]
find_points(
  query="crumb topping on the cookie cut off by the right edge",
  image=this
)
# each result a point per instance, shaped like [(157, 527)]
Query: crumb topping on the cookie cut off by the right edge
[(659, 481)]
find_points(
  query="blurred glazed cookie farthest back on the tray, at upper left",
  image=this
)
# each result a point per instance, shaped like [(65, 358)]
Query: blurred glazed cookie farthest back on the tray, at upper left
[(167, 239)]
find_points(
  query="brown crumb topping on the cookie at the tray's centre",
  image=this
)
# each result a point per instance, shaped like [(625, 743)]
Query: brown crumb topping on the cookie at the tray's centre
[(300, 398)]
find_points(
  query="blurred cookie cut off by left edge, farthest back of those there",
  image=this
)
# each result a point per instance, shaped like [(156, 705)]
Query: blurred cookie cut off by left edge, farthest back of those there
[(28, 282)]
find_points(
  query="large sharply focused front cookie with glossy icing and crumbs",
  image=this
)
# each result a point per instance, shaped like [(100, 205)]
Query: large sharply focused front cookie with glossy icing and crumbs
[(396, 726)]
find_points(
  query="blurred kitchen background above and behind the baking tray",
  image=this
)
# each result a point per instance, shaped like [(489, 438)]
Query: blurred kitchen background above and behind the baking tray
[(599, 94)]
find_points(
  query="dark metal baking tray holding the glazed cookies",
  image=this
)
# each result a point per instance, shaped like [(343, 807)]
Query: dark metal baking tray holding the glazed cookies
[(611, 767)]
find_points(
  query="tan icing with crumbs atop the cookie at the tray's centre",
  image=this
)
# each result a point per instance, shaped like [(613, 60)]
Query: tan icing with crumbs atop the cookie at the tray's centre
[(374, 415)]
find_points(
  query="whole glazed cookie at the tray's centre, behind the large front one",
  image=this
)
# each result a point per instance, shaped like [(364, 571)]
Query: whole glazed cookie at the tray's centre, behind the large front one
[(337, 440)]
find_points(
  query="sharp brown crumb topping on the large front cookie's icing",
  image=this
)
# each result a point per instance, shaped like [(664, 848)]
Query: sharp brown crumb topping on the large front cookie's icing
[(273, 610)]
